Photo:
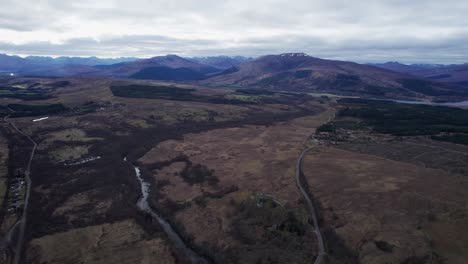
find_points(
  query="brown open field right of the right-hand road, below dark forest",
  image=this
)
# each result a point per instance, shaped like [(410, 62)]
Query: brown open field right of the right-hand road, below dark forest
[(390, 211)]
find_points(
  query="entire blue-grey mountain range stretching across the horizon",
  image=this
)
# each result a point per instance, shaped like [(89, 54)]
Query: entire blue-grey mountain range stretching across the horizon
[(292, 72)]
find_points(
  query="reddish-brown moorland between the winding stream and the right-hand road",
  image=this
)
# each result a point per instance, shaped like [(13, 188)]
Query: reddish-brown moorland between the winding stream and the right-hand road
[(238, 225)]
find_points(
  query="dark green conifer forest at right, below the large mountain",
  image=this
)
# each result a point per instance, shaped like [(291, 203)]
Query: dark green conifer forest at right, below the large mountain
[(387, 117)]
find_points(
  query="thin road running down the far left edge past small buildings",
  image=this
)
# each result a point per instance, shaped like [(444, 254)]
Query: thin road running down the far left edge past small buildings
[(27, 172)]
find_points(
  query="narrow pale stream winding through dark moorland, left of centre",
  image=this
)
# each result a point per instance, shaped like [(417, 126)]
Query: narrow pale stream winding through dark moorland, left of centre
[(144, 206)]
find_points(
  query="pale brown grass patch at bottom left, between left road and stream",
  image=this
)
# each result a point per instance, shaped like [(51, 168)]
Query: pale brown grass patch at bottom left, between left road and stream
[(99, 244)]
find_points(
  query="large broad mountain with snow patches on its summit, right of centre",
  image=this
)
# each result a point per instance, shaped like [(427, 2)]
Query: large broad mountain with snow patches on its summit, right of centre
[(299, 72)]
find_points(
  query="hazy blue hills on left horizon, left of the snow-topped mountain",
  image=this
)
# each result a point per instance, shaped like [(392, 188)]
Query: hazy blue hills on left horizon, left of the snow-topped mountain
[(159, 68)]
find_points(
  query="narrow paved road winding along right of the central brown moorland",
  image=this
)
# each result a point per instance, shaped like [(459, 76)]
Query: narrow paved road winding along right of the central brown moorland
[(310, 204)]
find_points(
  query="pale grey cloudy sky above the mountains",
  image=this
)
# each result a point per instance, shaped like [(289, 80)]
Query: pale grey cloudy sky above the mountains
[(428, 31)]
